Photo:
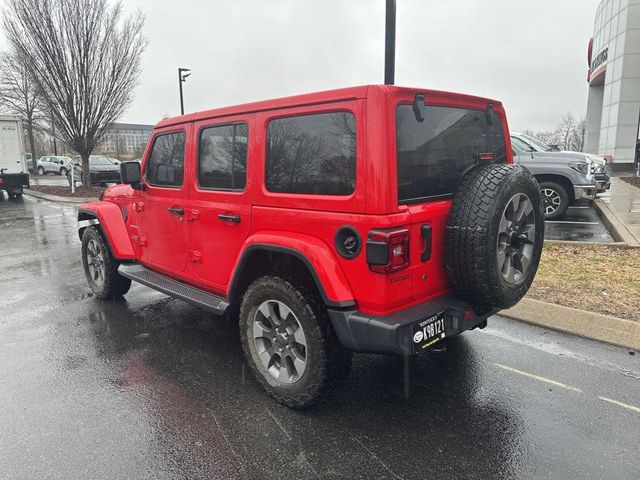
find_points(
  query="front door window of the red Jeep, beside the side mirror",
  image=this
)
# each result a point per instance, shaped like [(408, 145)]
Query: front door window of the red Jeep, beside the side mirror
[(166, 163)]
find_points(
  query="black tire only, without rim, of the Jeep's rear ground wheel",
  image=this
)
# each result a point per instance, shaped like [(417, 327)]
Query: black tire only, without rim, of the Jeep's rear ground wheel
[(328, 362)]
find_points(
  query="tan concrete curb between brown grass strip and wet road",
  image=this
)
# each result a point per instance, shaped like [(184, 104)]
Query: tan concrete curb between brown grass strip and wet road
[(616, 331)]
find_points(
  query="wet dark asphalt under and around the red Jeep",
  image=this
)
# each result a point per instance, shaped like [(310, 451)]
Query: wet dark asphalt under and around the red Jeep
[(150, 387)]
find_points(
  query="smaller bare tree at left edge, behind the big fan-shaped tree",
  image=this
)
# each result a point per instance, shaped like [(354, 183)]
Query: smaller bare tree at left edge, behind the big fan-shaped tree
[(18, 95)]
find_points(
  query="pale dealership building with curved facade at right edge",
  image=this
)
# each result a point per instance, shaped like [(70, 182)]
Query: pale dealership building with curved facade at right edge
[(613, 107)]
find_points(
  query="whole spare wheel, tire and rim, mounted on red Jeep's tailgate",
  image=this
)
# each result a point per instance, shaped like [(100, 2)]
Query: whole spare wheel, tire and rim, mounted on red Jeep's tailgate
[(494, 236)]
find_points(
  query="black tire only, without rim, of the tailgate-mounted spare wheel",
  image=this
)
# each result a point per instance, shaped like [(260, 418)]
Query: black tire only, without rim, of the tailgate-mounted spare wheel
[(472, 235)]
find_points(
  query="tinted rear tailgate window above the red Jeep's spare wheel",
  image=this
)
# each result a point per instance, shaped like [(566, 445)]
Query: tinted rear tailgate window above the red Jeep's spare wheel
[(433, 155)]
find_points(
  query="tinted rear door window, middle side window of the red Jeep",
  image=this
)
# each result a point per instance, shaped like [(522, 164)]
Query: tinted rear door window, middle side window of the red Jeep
[(222, 159)]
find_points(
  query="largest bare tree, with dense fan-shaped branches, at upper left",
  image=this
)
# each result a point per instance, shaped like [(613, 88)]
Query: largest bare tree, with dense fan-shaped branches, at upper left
[(84, 59)]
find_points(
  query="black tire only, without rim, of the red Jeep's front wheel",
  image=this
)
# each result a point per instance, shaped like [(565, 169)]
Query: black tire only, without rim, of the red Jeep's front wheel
[(114, 285)]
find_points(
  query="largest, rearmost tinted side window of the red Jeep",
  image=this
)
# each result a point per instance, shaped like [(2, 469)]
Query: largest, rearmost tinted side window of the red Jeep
[(314, 154)]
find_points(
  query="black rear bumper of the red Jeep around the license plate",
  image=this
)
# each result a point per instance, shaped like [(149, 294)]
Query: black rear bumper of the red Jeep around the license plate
[(394, 333)]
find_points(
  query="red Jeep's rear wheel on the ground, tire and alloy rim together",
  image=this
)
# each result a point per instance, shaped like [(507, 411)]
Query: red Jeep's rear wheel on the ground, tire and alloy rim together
[(289, 342)]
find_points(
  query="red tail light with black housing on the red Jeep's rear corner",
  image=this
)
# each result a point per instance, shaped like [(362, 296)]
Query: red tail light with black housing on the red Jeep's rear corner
[(388, 250)]
